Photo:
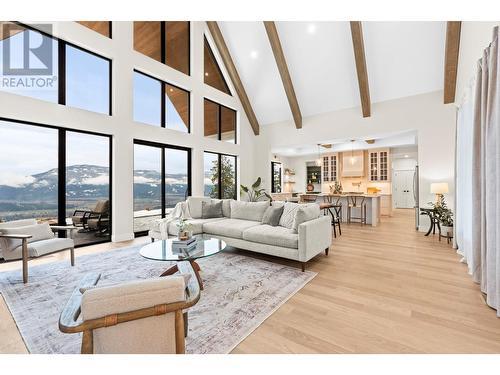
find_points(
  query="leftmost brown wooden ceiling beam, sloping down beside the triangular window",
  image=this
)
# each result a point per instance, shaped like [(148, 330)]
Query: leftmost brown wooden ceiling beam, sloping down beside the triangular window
[(233, 74)]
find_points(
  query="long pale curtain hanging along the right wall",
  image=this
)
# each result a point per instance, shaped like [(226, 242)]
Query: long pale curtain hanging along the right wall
[(478, 237)]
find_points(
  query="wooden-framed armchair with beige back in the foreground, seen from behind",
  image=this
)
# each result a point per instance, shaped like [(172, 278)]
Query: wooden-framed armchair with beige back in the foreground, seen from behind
[(143, 316)]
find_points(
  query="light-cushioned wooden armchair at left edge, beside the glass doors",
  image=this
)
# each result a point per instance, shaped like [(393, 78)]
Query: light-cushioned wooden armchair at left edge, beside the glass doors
[(26, 239)]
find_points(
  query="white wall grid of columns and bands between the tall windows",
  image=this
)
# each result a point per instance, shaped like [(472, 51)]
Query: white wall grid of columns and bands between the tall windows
[(121, 126)]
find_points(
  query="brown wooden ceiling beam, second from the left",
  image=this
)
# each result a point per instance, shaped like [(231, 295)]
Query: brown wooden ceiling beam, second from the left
[(279, 56)]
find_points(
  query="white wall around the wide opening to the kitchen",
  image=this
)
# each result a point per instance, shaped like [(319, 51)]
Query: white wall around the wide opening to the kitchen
[(426, 113)]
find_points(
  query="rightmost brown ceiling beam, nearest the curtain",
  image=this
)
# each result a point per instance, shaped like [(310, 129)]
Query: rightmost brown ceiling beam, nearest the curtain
[(451, 60)]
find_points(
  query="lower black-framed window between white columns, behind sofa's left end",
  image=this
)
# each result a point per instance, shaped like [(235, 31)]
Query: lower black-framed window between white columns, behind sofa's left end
[(162, 178)]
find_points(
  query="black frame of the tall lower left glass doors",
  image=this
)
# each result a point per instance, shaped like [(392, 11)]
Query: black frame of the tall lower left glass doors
[(61, 175)]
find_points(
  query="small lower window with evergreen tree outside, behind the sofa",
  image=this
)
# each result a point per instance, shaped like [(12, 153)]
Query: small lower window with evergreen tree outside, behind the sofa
[(220, 176)]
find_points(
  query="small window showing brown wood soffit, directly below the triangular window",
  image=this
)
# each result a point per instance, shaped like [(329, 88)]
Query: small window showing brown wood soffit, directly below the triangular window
[(219, 122)]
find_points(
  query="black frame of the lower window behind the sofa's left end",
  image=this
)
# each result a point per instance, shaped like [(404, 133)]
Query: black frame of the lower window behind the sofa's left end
[(163, 147)]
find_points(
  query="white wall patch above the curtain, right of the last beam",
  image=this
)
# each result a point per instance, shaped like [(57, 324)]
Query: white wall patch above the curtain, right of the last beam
[(474, 38)]
